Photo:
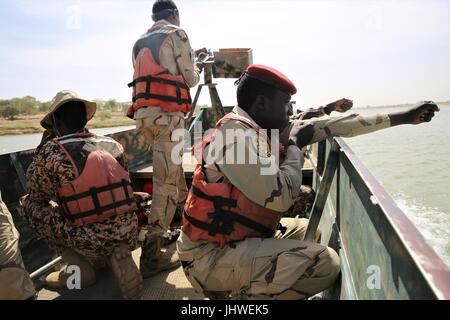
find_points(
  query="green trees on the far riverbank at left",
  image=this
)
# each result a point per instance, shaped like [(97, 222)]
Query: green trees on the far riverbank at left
[(12, 108)]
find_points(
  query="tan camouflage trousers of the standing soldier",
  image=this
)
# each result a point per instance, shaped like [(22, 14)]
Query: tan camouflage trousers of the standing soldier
[(169, 184)]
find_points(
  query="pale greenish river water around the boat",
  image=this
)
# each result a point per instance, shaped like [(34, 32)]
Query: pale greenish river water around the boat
[(412, 163)]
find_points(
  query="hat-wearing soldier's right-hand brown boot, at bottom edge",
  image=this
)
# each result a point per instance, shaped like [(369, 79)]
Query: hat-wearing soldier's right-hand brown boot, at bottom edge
[(126, 272)]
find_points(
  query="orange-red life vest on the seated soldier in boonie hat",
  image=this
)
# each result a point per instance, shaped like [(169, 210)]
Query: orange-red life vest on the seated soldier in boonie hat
[(102, 187)]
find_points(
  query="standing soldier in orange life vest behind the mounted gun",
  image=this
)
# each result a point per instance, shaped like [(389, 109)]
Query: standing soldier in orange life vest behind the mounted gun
[(164, 70)]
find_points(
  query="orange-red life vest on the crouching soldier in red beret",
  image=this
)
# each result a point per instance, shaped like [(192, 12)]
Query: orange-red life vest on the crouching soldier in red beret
[(220, 212)]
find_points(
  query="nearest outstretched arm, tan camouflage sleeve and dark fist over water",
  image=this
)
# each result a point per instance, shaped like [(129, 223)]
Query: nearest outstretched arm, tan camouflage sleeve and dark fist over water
[(355, 124)]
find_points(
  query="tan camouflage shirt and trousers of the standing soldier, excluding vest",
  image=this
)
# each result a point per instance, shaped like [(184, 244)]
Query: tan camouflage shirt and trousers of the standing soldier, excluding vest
[(157, 126)]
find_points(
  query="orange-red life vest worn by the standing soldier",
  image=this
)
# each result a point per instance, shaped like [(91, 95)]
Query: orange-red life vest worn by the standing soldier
[(153, 85)]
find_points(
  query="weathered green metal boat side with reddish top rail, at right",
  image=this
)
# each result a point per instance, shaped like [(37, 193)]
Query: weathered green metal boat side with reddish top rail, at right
[(373, 233)]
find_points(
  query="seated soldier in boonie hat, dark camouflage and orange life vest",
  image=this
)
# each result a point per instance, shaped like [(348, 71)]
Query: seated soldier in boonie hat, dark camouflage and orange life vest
[(80, 198)]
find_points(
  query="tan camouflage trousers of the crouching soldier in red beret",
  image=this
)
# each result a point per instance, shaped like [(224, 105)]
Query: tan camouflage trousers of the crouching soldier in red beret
[(283, 267)]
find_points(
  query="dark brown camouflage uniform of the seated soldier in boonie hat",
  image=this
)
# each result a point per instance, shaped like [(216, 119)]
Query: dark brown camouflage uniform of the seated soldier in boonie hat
[(50, 170)]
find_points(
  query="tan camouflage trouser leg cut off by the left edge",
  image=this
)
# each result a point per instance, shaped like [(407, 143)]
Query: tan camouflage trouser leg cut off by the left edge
[(15, 282)]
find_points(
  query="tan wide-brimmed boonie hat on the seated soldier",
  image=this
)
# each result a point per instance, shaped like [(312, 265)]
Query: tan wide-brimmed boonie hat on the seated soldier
[(62, 98)]
